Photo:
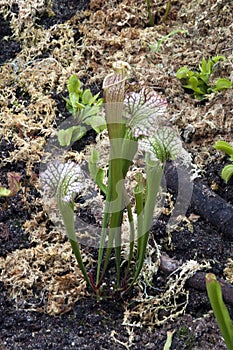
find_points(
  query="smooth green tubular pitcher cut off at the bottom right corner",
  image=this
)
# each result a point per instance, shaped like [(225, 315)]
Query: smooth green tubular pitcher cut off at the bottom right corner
[(221, 313)]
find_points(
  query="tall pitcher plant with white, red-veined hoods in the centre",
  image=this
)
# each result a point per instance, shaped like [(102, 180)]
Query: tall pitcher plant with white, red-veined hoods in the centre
[(133, 122)]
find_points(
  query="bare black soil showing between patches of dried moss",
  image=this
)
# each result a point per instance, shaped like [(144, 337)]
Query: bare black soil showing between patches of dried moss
[(98, 325)]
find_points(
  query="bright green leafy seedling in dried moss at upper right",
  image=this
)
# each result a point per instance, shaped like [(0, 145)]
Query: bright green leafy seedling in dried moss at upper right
[(198, 82)]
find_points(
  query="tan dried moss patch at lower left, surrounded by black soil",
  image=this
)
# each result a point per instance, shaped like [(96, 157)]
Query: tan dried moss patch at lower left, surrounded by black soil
[(45, 278)]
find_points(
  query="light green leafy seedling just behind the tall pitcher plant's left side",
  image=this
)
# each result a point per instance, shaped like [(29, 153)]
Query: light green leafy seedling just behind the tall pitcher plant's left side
[(86, 110)]
